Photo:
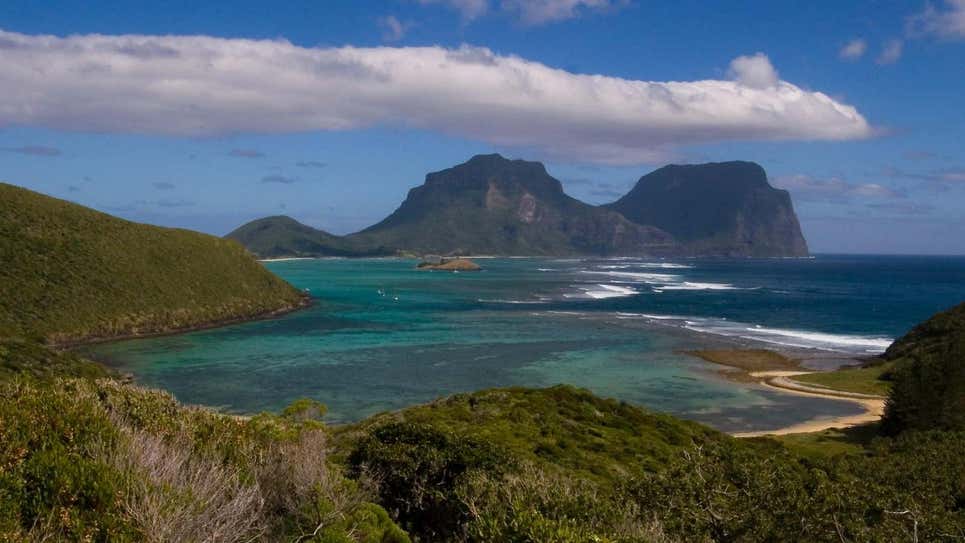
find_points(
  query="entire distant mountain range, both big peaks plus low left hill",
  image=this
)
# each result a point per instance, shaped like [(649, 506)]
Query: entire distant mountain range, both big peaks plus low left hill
[(491, 205)]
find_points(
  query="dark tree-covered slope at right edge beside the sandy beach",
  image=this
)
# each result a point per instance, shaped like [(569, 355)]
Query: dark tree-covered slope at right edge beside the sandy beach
[(928, 375)]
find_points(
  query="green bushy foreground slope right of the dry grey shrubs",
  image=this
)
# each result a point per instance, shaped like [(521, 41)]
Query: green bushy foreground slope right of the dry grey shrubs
[(562, 465)]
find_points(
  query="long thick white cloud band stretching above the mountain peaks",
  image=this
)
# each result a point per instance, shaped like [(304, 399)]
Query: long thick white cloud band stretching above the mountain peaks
[(198, 86)]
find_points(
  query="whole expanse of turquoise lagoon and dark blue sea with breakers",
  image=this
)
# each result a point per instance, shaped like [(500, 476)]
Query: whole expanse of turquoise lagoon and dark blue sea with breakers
[(382, 335)]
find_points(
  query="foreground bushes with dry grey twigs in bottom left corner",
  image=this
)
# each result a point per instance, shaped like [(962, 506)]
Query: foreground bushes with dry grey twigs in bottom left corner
[(101, 461)]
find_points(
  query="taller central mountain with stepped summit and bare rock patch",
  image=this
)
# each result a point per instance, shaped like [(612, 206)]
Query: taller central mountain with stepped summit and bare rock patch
[(491, 205)]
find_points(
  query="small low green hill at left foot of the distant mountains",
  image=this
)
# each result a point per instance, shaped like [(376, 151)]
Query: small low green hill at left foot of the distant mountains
[(281, 236)]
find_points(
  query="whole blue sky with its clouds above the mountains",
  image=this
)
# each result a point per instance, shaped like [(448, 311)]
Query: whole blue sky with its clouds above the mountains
[(856, 107)]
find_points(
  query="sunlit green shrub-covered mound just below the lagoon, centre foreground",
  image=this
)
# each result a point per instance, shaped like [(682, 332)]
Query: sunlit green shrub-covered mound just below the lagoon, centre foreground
[(562, 426)]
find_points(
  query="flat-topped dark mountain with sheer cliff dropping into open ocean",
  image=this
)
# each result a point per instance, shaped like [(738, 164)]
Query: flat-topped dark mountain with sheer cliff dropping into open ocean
[(724, 209)]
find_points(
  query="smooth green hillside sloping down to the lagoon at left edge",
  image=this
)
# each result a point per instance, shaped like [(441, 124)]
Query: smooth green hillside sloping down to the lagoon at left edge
[(71, 273)]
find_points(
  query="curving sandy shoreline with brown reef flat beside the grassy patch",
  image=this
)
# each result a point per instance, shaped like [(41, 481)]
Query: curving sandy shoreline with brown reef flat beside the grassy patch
[(774, 370)]
